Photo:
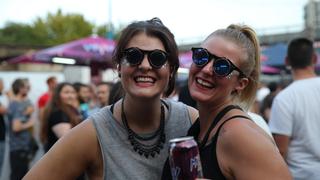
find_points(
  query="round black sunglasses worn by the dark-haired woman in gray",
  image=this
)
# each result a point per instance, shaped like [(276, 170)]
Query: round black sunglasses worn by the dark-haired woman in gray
[(134, 56)]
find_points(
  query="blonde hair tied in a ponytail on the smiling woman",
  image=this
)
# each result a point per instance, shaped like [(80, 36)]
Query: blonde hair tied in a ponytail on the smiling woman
[(246, 38)]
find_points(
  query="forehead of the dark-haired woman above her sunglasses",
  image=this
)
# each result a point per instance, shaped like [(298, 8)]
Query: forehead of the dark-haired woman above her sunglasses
[(145, 42)]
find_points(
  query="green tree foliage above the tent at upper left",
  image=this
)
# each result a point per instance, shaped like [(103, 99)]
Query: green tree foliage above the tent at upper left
[(54, 29)]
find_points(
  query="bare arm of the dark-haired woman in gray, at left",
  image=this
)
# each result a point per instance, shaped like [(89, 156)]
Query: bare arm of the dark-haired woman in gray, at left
[(70, 156)]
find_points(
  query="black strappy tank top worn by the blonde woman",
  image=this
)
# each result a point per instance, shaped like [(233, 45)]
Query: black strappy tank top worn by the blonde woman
[(208, 154)]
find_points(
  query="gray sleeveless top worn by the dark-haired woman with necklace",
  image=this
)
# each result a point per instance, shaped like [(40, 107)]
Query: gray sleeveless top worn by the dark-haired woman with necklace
[(120, 161)]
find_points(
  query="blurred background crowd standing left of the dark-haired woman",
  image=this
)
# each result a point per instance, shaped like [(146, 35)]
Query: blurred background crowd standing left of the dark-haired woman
[(60, 108)]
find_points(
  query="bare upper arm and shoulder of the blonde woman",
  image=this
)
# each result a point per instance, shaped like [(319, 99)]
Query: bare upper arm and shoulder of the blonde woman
[(244, 152)]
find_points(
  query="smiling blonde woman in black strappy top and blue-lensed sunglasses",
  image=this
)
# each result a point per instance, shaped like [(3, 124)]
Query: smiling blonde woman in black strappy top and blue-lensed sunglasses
[(223, 79)]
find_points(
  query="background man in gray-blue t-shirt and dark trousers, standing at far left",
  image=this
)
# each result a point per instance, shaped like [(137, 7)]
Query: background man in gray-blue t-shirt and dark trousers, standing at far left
[(20, 121)]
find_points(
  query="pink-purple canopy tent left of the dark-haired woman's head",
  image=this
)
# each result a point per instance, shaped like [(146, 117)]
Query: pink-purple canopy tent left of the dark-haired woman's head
[(91, 51)]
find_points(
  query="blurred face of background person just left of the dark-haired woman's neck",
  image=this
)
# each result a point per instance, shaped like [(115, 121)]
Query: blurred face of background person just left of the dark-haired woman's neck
[(103, 92)]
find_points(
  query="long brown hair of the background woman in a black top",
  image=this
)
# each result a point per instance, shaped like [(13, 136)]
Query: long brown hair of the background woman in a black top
[(55, 104)]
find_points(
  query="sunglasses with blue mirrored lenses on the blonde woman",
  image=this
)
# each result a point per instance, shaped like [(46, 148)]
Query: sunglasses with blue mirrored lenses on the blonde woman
[(221, 66)]
